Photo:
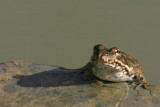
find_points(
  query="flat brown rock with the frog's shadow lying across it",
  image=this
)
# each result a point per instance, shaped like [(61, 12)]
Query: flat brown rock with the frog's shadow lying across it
[(24, 84)]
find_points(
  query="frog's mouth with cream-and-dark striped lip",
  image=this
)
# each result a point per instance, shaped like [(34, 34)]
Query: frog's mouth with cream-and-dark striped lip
[(116, 64)]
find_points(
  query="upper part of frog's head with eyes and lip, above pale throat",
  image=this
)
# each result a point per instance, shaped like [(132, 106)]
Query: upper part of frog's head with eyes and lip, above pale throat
[(112, 57)]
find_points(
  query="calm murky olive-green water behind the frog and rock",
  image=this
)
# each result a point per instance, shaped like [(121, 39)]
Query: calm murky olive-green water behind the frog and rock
[(63, 32)]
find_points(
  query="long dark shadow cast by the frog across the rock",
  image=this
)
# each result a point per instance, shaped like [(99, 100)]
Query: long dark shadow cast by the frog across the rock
[(52, 78)]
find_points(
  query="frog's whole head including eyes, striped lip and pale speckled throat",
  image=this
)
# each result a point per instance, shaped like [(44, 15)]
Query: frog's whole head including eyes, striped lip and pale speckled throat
[(110, 64)]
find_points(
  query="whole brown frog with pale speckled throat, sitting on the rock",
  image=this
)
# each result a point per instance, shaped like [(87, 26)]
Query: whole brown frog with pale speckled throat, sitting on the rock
[(114, 65)]
